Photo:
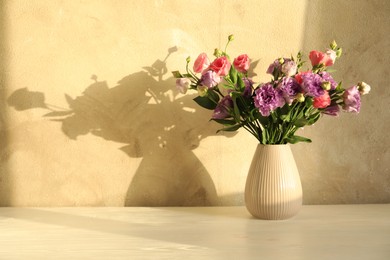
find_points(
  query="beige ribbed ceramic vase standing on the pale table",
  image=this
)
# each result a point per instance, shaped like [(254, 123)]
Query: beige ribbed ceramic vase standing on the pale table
[(273, 187)]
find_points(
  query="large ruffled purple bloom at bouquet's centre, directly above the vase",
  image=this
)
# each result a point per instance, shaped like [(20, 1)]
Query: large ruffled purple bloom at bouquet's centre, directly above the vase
[(268, 99)]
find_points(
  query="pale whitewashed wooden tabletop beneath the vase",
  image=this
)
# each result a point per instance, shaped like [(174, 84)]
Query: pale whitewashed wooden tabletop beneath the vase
[(317, 232)]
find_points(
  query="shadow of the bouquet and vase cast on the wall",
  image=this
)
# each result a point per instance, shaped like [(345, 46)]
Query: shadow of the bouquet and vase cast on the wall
[(144, 112)]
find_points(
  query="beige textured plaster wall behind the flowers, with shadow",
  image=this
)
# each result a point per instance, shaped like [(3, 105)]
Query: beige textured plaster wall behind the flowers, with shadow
[(90, 115)]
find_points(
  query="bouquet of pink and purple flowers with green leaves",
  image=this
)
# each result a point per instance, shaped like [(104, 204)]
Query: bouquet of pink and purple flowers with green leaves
[(272, 111)]
